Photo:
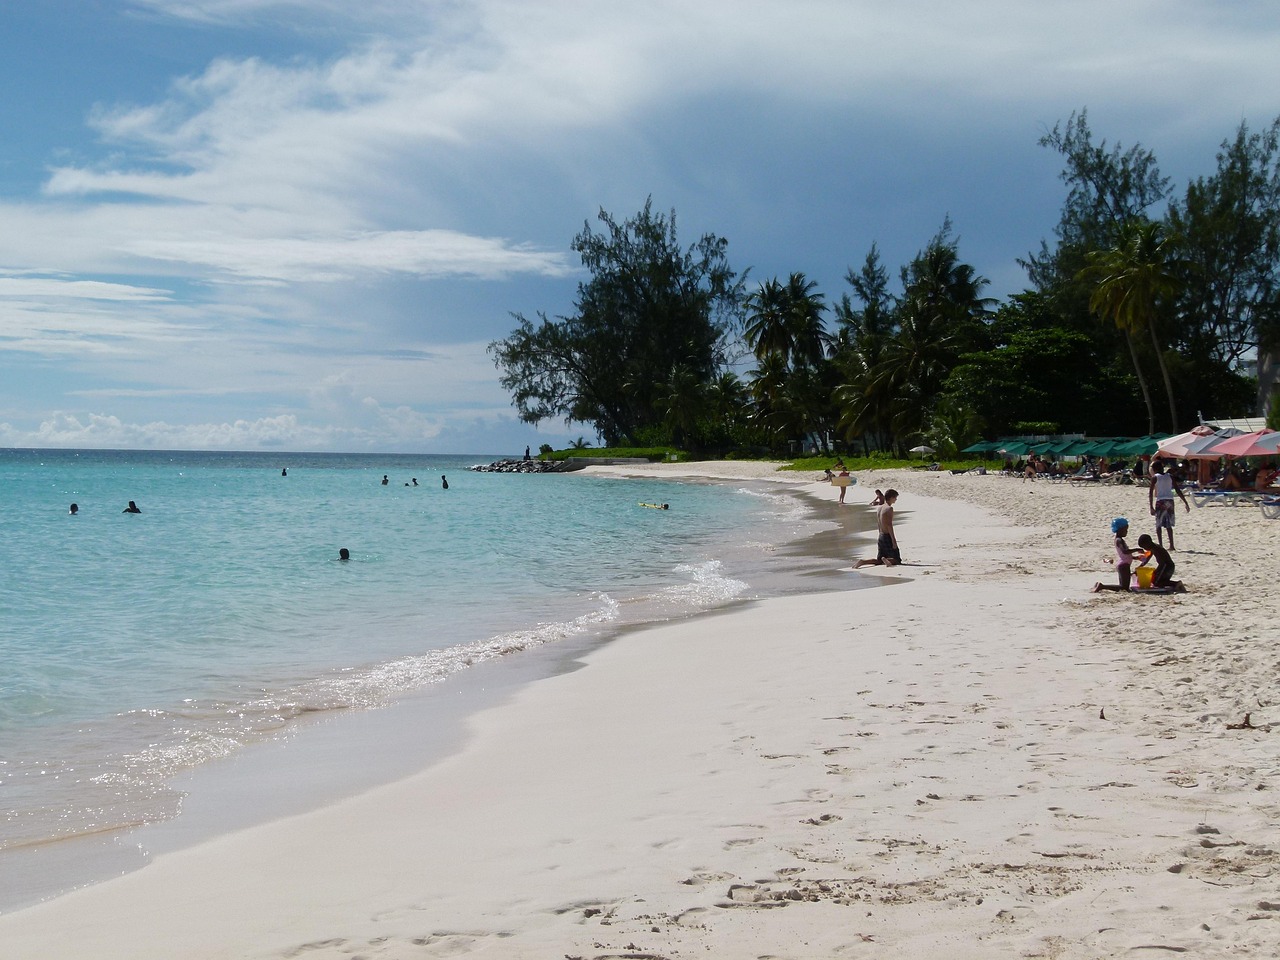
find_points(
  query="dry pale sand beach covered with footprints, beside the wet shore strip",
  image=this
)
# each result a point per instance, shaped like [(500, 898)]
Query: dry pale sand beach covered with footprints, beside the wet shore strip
[(980, 760)]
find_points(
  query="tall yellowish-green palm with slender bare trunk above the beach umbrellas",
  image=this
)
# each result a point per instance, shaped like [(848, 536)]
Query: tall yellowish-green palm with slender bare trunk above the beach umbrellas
[(1132, 280)]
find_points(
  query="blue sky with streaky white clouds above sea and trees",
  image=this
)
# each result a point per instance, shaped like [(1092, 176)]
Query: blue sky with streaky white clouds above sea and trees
[(298, 225)]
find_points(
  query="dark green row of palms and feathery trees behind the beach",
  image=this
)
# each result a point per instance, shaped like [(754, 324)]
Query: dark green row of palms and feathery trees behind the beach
[(1178, 307)]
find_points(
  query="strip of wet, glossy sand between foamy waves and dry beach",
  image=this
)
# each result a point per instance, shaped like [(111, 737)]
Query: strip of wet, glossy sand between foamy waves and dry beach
[(340, 755)]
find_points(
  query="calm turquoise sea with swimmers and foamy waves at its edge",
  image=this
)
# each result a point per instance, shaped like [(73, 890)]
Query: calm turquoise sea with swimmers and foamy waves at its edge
[(138, 646)]
